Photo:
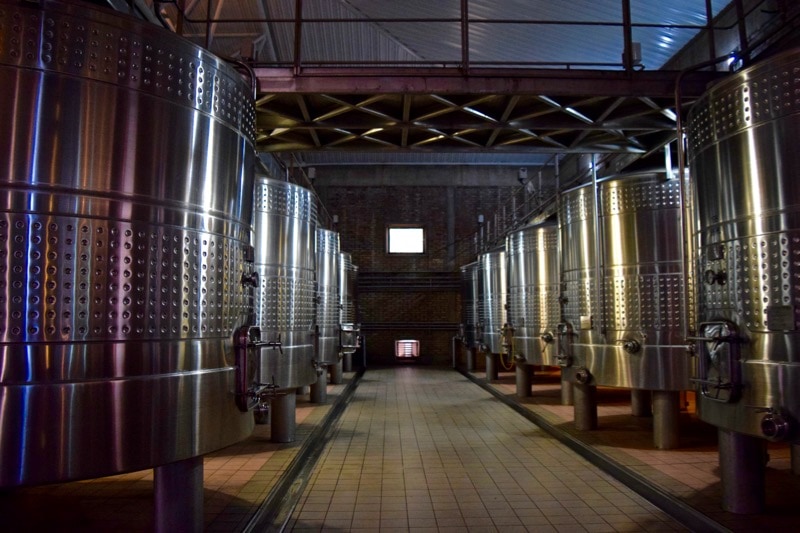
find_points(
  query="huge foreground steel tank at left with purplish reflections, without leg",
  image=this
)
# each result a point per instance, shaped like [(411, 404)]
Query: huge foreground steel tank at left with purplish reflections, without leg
[(124, 239)]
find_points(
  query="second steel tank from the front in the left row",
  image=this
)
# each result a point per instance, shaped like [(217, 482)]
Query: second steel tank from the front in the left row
[(285, 220)]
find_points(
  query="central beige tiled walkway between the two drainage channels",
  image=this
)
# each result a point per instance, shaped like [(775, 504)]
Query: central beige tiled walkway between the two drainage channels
[(423, 448)]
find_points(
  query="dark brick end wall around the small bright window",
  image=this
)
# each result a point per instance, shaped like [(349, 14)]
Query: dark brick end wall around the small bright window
[(449, 215)]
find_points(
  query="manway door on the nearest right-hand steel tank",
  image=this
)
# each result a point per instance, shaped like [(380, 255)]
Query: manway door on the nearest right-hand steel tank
[(719, 366)]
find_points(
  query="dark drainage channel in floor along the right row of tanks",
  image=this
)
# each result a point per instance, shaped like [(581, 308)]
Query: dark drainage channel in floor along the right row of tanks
[(677, 509)]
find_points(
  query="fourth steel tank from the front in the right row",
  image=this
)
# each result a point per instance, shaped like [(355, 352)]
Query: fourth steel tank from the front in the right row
[(493, 289)]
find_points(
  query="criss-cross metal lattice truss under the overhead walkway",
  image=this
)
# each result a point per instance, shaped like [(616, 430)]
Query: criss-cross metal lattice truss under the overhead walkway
[(460, 122)]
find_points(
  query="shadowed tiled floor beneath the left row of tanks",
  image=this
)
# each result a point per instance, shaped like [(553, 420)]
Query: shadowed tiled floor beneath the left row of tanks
[(236, 480)]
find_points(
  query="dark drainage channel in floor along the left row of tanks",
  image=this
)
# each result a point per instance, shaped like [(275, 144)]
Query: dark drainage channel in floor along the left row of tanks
[(276, 510)]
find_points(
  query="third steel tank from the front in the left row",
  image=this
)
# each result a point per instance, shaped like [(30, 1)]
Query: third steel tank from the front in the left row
[(328, 296)]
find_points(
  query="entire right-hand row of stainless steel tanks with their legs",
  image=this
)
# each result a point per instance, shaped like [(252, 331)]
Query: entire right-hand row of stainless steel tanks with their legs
[(667, 282)]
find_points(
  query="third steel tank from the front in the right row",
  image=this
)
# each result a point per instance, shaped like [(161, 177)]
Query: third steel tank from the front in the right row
[(534, 292)]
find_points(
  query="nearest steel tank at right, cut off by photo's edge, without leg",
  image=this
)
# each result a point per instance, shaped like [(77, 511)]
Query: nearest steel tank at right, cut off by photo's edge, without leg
[(744, 159)]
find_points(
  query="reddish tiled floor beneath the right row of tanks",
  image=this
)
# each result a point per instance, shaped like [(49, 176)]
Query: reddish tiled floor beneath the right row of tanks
[(690, 472)]
